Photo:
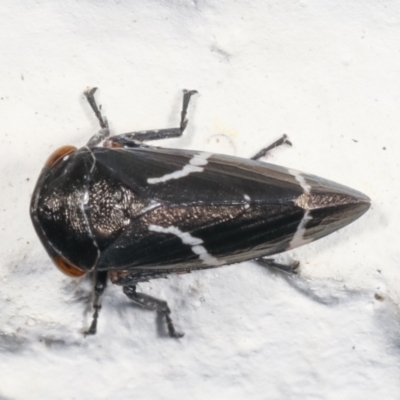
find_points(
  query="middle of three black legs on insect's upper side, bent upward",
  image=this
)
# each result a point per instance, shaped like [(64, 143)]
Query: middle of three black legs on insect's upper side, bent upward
[(133, 139)]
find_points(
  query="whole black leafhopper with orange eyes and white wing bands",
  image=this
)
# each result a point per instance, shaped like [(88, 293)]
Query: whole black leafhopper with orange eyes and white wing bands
[(128, 212)]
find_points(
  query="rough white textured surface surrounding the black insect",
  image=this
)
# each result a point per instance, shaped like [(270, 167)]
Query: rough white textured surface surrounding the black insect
[(327, 73)]
